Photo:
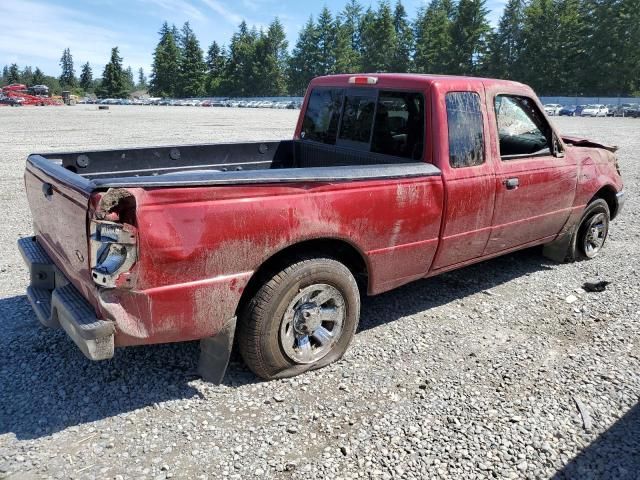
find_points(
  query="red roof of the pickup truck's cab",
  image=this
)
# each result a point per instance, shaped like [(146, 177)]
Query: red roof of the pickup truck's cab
[(414, 80)]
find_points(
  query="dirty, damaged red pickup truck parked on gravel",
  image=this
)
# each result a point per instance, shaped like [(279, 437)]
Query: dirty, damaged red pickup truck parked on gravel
[(389, 178)]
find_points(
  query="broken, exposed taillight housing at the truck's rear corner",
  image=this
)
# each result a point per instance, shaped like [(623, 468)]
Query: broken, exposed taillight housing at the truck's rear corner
[(113, 253)]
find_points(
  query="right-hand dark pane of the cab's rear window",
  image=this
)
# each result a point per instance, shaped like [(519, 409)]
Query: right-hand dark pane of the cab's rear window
[(399, 125)]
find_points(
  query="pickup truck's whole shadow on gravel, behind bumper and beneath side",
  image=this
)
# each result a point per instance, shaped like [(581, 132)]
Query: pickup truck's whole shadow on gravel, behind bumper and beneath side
[(47, 385)]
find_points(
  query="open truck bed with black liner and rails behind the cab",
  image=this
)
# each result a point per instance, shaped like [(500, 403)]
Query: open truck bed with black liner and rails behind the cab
[(222, 164)]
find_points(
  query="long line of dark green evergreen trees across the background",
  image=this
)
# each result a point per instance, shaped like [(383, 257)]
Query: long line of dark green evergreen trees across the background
[(559, 47)]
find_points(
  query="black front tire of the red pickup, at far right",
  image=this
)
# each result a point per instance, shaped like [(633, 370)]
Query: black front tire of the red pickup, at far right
[(597, 210)]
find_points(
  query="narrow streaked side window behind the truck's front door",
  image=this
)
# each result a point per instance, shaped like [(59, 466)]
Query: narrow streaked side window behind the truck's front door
[(466, 136)]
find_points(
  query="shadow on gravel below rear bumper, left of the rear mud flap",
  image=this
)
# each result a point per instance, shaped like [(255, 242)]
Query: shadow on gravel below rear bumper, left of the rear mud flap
[(47, 385)]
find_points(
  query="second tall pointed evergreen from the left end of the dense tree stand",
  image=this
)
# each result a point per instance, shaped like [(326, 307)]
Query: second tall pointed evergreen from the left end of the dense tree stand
[(191, 66)]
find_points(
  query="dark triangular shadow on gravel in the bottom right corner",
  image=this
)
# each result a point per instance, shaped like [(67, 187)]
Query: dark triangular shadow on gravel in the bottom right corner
[(614, 454)]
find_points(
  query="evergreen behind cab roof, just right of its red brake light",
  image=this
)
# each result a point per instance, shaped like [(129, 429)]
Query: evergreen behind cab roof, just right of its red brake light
[(378, 37)]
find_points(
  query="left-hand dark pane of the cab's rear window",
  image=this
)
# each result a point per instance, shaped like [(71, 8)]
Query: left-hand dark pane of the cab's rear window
[(320, 121)]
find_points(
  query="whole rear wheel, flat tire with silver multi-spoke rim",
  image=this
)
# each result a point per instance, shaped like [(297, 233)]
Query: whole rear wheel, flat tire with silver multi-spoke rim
[(302, 318)]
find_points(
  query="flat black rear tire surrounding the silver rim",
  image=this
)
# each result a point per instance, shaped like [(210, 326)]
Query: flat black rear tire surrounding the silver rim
[(261, 322)]
